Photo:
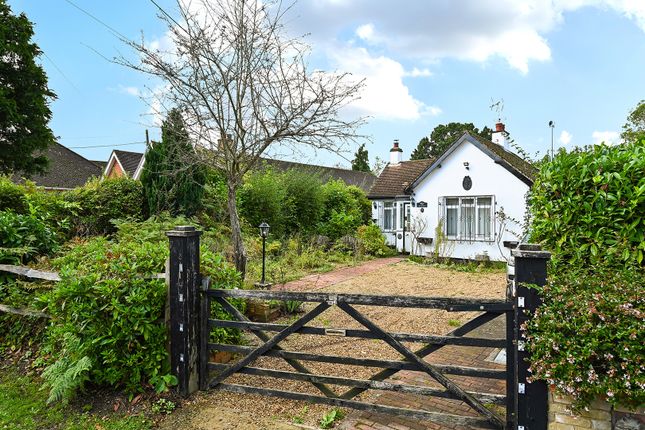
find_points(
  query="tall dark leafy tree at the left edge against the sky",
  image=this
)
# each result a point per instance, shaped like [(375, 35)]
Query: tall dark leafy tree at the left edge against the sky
[(24, 97)]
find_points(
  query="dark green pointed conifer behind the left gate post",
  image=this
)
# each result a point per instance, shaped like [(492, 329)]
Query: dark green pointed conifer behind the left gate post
[(171, 182)]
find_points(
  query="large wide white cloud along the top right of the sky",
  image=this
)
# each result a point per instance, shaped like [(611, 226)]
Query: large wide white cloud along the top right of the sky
[(478, 30)]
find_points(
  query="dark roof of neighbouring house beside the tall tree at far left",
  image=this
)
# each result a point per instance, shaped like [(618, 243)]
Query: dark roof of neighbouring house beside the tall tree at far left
[(66, 169)]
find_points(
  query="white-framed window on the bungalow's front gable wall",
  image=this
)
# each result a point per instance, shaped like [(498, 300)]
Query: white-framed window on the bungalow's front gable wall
[(468, 218)]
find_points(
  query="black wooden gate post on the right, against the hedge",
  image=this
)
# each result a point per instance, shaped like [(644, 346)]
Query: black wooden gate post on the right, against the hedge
[(531, 399)]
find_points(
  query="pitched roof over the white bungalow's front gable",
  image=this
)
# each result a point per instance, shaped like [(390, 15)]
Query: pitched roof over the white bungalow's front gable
[(512, 162)]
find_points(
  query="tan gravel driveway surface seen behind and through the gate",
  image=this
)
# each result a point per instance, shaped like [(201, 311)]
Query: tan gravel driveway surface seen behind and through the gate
[(404, 278)]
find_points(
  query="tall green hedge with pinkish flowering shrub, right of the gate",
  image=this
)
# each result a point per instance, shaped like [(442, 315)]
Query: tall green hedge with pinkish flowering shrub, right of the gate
[(588, 209)]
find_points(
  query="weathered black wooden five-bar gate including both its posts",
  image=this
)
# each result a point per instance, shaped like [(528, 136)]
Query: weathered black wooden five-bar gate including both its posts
[(190, 325)]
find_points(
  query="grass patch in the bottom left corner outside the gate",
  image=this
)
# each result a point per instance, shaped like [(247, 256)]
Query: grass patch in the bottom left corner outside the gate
[(23, 406)]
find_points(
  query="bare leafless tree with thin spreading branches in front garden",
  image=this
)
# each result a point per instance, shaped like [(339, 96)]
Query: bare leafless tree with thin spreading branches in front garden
[(243, 85)]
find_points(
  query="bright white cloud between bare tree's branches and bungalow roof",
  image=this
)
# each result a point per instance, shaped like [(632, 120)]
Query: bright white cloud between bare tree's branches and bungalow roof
[(385, 95)]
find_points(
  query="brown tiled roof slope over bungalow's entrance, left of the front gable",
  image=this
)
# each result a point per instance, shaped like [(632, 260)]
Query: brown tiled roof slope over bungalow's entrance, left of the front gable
[(396, 178)]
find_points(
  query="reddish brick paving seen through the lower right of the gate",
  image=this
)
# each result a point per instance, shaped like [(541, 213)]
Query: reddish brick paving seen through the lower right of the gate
[(463, 356)]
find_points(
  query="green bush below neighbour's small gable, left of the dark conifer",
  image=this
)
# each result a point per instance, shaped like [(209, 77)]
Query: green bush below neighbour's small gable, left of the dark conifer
[(102, 202)]
